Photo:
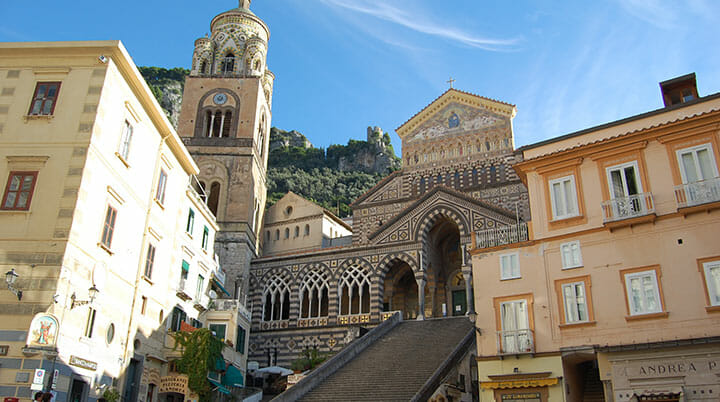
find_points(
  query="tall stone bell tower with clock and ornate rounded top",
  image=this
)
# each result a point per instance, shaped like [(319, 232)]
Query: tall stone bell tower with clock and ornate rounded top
[(225, 123)]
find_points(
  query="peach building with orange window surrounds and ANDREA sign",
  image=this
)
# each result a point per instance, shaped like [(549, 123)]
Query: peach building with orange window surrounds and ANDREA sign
[(611, 292)]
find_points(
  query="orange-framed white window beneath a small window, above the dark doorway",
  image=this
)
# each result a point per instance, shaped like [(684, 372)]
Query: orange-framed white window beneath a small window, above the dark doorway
[(574, 300)]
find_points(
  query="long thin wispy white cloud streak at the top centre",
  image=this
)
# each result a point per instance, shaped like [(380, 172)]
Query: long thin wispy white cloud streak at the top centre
[(420, 24)]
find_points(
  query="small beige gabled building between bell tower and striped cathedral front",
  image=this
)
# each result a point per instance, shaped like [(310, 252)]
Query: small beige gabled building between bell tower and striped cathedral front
[(295, 224)]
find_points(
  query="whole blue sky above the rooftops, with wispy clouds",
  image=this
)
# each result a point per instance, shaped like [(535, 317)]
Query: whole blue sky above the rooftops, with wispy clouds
[(343, 65)]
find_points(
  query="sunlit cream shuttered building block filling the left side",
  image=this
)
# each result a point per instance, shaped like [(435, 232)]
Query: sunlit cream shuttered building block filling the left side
[(109, 242)]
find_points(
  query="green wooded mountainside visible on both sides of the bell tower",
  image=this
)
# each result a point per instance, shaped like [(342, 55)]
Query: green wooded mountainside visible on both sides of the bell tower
[(333, 178)]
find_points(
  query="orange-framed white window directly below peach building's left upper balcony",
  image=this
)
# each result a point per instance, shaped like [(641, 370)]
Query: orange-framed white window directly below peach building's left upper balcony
[(643, 290)]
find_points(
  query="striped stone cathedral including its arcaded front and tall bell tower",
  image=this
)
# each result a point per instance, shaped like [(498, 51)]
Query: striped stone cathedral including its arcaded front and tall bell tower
[(407, 250)]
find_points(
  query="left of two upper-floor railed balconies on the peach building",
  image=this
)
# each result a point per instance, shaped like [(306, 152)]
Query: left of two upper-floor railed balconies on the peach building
[(627, 211)]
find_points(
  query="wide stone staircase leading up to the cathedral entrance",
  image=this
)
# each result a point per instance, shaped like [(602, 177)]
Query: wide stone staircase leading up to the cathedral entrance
[(396, 366)]
